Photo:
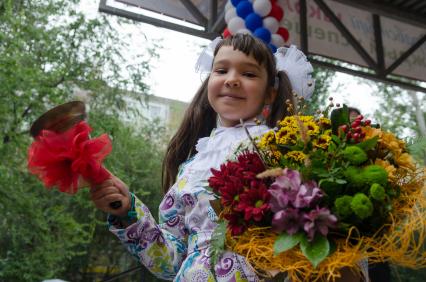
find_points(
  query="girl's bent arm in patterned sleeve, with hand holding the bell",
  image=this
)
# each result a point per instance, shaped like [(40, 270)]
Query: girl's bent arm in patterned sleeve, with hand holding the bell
[(160, 247)]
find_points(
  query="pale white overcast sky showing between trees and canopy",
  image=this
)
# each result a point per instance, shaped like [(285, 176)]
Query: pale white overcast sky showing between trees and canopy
[(173, 73)]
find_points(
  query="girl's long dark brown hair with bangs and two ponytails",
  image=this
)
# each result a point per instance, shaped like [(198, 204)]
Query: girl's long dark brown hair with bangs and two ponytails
[(200, 118)]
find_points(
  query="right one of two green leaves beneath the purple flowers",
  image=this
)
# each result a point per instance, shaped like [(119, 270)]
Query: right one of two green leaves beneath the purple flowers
[(315, 251)]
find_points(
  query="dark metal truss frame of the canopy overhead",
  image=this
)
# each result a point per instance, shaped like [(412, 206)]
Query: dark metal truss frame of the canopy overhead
[(412, 12)]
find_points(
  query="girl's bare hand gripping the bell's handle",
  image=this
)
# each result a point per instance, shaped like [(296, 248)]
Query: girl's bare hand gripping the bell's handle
[(111, 190)]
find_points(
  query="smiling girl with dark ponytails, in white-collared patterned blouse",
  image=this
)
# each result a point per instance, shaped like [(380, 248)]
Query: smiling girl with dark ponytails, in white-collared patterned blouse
[(243, 82)]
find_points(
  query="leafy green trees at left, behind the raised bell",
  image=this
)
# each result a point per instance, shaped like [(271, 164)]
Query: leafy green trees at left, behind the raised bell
[(49, 52)]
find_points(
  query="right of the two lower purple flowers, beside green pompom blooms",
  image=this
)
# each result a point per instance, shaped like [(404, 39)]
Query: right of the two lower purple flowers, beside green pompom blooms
[(319, 220)]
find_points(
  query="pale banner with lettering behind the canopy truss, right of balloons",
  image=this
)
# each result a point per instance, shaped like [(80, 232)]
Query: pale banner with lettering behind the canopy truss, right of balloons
[(325, 40)]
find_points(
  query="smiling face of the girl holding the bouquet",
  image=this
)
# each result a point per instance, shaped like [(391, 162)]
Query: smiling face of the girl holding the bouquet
[(237, 87)]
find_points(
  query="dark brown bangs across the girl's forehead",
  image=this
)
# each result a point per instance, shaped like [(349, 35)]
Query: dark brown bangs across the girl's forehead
[(252, 46)]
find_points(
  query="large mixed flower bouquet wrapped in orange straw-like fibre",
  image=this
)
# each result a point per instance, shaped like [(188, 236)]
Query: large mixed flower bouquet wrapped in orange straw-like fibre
[(316, 195)]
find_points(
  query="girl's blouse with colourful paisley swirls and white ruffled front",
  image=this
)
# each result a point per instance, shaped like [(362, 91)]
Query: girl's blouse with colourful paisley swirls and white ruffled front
[(177, 248)]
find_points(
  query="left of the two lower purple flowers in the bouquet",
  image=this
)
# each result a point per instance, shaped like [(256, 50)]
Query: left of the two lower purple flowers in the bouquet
[(289, 220)]
